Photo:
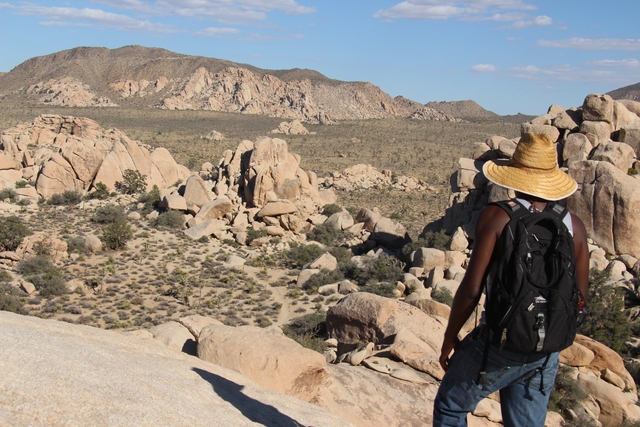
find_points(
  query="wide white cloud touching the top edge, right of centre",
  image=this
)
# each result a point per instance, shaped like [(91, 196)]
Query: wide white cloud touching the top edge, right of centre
[(447, 9)]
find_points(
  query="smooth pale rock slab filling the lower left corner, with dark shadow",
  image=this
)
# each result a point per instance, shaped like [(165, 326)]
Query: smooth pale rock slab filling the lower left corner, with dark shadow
[(135, 379)]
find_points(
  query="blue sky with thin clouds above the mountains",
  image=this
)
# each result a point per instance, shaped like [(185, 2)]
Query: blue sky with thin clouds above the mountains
[(510, 56)]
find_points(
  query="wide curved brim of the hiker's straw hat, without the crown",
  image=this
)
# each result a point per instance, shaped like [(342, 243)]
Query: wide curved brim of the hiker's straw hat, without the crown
[(546, 184)]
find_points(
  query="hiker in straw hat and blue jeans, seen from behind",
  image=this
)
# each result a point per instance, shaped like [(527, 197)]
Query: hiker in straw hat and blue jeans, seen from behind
[(524, 377)]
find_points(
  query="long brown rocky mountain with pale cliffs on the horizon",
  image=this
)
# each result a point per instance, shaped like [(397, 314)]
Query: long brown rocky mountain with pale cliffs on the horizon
[(141, 77)]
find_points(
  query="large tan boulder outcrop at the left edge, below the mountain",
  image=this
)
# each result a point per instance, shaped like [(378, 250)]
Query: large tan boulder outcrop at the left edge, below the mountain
[(64, 153)]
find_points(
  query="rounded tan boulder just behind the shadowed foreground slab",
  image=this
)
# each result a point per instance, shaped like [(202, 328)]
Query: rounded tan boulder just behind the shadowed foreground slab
[(278, 363)]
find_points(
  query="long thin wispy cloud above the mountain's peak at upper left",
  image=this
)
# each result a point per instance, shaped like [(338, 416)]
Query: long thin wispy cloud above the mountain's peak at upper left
[(70, 15)]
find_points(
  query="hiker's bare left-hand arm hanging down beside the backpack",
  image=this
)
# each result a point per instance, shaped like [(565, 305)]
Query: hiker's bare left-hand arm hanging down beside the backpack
[(488, 229)]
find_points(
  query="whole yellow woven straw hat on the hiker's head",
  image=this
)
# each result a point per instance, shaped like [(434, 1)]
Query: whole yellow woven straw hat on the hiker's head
[(533, 170)]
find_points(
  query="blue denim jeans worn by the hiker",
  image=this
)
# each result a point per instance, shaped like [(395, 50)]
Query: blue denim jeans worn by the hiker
[(519, 377)]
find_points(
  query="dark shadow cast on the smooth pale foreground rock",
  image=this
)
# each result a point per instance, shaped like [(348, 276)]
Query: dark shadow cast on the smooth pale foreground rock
[(252, 409)]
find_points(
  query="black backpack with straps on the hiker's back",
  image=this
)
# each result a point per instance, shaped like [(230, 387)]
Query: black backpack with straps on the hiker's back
[(533, 301)]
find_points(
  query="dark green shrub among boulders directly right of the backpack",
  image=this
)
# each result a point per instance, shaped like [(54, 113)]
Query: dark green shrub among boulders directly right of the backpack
[(606, 321)]
